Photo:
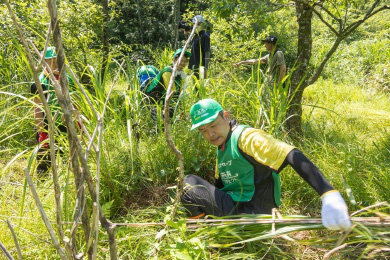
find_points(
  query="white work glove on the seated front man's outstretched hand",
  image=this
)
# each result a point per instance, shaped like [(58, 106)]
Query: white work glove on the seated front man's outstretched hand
[(334, 212)]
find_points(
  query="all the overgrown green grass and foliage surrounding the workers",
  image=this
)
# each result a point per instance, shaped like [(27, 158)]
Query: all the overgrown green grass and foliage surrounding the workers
[(346, 133)]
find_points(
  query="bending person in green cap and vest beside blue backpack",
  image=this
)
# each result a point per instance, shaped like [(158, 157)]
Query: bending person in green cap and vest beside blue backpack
[(158, 87)]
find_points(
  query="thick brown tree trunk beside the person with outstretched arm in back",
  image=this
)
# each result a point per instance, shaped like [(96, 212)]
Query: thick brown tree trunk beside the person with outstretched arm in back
[(299, 80)]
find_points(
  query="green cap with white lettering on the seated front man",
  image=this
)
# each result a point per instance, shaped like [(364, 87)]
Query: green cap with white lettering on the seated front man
[(204, 111)]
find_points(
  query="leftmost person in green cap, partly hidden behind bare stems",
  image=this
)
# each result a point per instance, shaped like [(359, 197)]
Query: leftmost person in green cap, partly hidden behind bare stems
[(41, 123)]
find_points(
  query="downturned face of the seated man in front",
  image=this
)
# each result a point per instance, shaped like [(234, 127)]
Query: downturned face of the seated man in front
[(217, 131)]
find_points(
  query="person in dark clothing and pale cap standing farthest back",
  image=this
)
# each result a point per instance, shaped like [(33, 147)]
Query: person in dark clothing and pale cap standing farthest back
[(199, 60)]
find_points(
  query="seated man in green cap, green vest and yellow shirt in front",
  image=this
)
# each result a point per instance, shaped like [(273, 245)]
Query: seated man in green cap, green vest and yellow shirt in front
[(248, 165)]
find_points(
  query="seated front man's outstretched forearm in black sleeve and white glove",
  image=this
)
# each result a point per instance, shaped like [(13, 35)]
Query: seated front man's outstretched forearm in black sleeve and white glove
[(334, 209)]
